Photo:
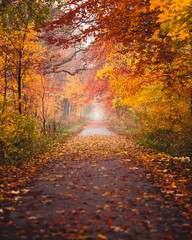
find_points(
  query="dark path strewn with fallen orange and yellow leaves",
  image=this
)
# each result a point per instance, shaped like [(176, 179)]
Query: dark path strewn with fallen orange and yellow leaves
[(93, 188)]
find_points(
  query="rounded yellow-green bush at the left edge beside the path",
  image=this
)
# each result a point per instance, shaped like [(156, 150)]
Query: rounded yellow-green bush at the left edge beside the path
[(18, 137)]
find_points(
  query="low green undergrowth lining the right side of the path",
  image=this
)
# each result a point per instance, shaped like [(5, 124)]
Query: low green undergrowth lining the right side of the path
[(159, 134)]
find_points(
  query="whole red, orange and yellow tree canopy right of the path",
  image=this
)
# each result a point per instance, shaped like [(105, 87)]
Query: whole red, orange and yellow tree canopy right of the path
[(149, 51)]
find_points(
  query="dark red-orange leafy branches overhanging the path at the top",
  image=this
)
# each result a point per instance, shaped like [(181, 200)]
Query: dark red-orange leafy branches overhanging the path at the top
[(132, 23)]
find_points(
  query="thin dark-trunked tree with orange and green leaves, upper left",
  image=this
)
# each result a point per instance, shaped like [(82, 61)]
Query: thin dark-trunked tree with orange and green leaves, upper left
[(18, 19)]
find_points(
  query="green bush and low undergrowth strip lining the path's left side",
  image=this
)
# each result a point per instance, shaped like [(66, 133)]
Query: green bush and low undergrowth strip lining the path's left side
[(21, 137)]
